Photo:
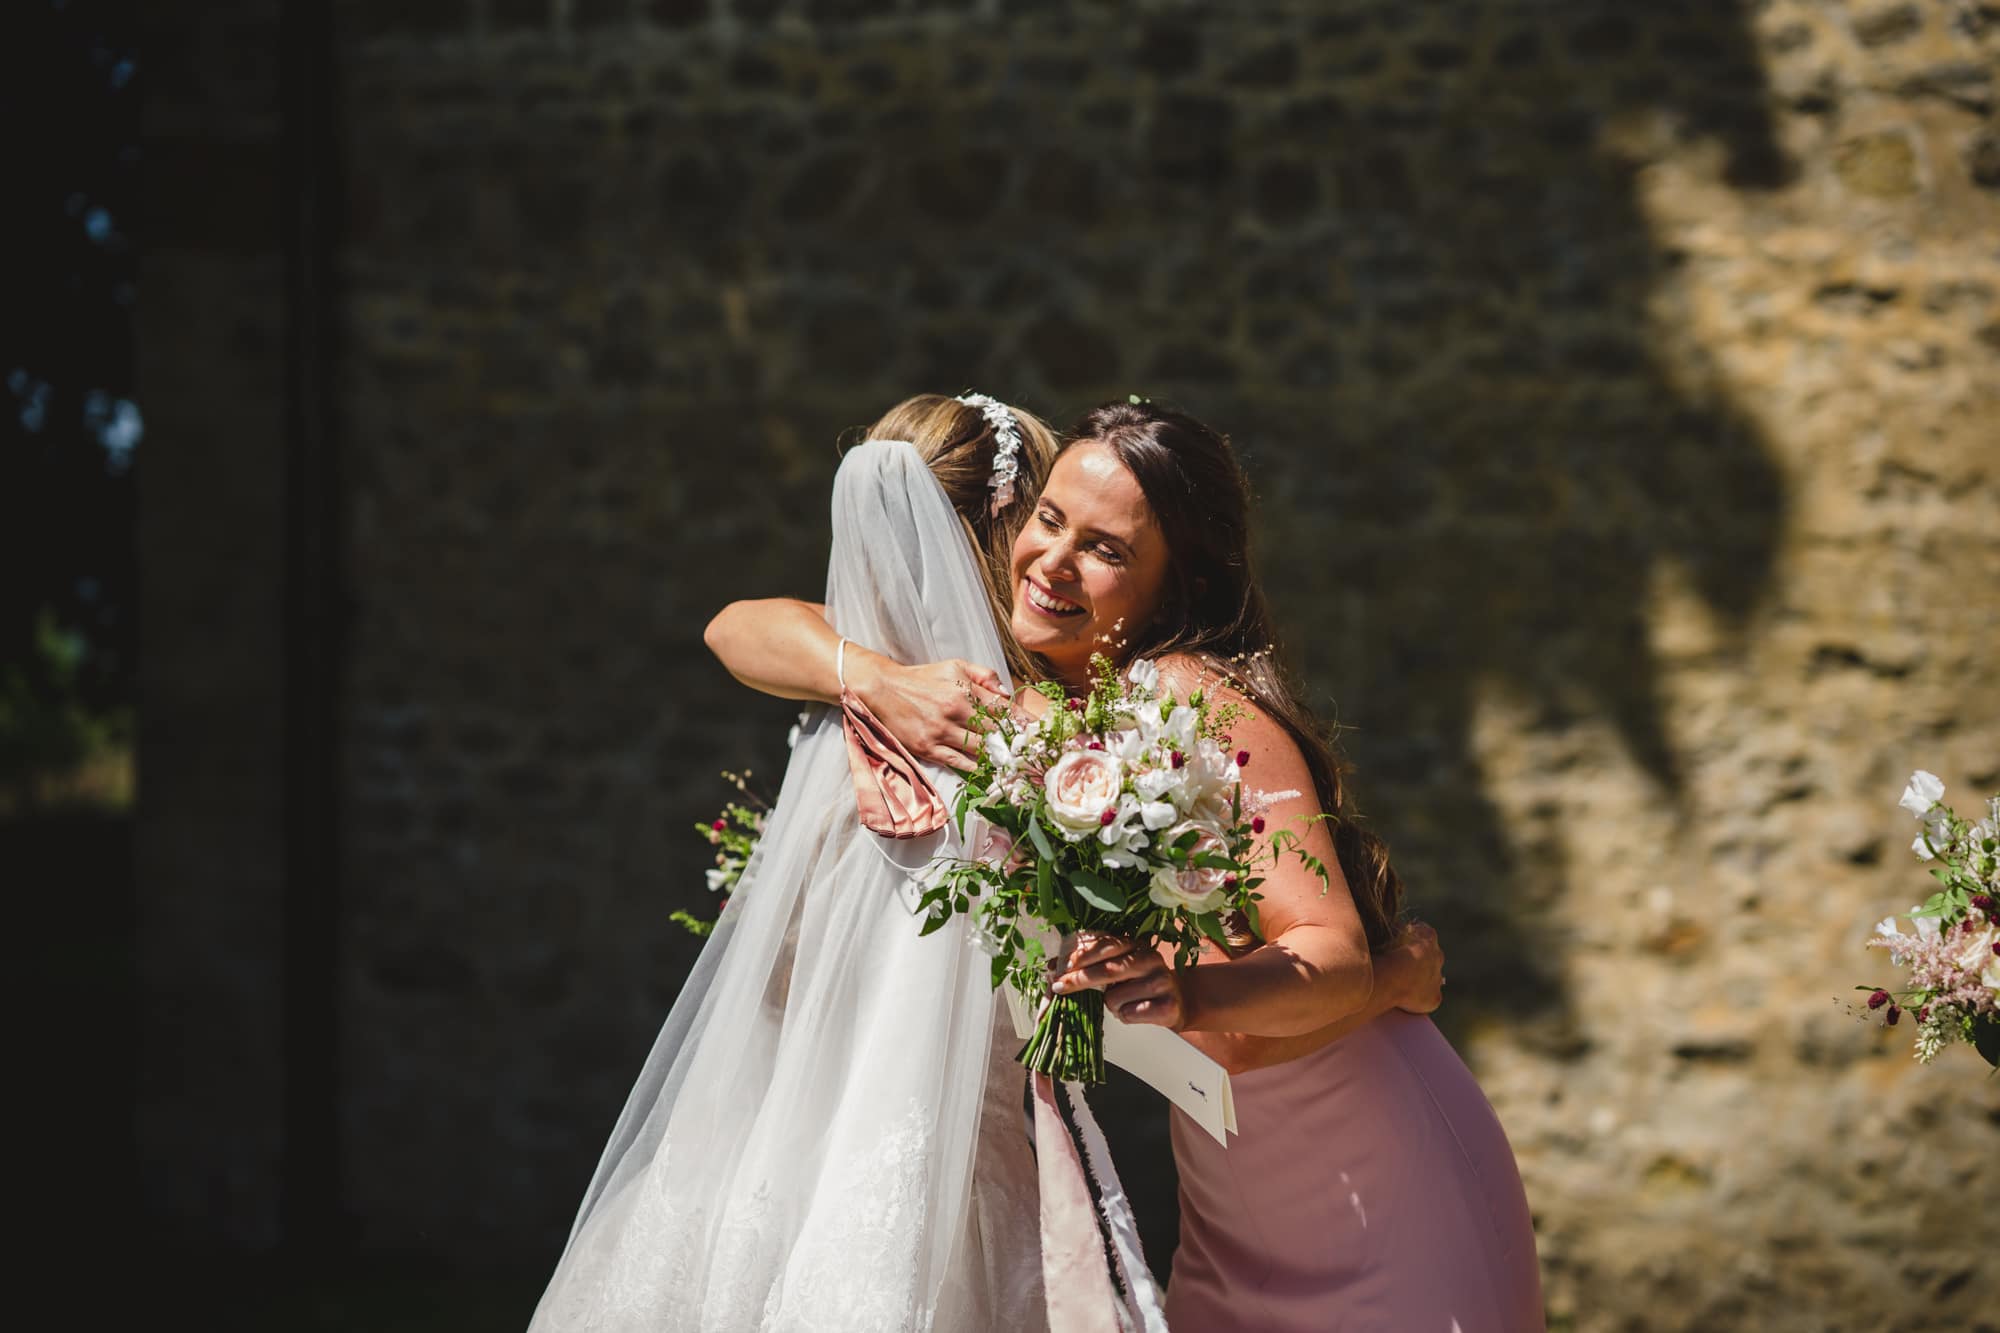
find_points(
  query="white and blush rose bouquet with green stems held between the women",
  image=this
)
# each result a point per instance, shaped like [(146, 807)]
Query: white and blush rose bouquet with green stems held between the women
[(1121, 812)]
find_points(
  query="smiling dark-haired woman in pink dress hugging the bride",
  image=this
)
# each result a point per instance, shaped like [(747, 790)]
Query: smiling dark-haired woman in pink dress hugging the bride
[(1371, 1184)]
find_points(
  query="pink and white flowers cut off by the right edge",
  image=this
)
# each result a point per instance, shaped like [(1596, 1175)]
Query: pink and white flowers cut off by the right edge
[(1953, 954)]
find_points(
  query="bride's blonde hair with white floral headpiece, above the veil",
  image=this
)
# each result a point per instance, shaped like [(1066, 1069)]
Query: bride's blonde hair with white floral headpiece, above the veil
[(957, 443)]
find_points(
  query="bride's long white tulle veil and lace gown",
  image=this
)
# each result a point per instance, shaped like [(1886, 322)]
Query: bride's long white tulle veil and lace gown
[(829, 1130)]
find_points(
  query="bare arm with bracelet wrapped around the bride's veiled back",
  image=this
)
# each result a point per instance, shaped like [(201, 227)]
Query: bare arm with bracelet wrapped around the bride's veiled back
[(785, 647)]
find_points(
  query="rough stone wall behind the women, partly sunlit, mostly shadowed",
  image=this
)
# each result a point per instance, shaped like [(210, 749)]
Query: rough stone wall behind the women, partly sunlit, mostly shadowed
[(1621, 385)]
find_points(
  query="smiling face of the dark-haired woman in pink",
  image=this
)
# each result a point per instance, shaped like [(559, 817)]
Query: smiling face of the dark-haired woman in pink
[(1091, 565)]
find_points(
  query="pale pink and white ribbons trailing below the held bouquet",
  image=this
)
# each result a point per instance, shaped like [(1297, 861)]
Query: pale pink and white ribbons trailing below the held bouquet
[(1075, 1270)]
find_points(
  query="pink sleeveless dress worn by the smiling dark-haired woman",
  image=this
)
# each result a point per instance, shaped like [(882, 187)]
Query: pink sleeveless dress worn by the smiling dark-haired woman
[(1371, 1190)]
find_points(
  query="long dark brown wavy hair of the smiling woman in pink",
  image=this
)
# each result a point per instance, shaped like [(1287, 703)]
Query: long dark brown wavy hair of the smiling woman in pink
[(1215, 611)]
